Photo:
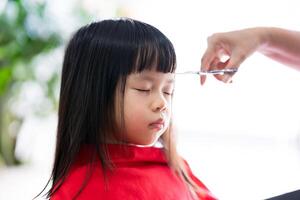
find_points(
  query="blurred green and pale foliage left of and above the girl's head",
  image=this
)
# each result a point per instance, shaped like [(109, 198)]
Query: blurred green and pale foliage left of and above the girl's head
[(26, 34)]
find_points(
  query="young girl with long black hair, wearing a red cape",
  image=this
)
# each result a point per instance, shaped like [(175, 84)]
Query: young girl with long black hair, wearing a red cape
[(114, 111)]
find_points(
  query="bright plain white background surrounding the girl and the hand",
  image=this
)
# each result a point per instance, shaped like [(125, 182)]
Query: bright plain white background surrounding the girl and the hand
[(241, 139)]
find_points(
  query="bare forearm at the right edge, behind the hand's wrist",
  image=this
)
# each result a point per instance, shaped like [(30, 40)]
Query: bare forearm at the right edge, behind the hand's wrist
[(281, 45)]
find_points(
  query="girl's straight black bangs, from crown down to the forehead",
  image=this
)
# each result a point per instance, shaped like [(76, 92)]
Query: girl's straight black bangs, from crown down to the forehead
[(153, 50)]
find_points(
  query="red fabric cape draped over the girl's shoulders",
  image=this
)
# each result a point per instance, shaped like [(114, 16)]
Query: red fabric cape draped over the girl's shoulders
[(139, 173)]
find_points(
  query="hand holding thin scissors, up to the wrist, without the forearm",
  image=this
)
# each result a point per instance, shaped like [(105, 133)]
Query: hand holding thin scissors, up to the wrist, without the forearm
[(237, 45)]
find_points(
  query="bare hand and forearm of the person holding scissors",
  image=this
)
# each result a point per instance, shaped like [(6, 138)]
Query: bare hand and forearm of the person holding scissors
[(278, 44)]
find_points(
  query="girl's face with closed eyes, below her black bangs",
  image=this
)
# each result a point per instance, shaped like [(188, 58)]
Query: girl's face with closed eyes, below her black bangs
[(147, 106)]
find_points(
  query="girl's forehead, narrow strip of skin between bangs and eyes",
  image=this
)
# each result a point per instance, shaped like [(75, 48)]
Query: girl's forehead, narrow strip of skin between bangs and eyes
[(152, 76)]
